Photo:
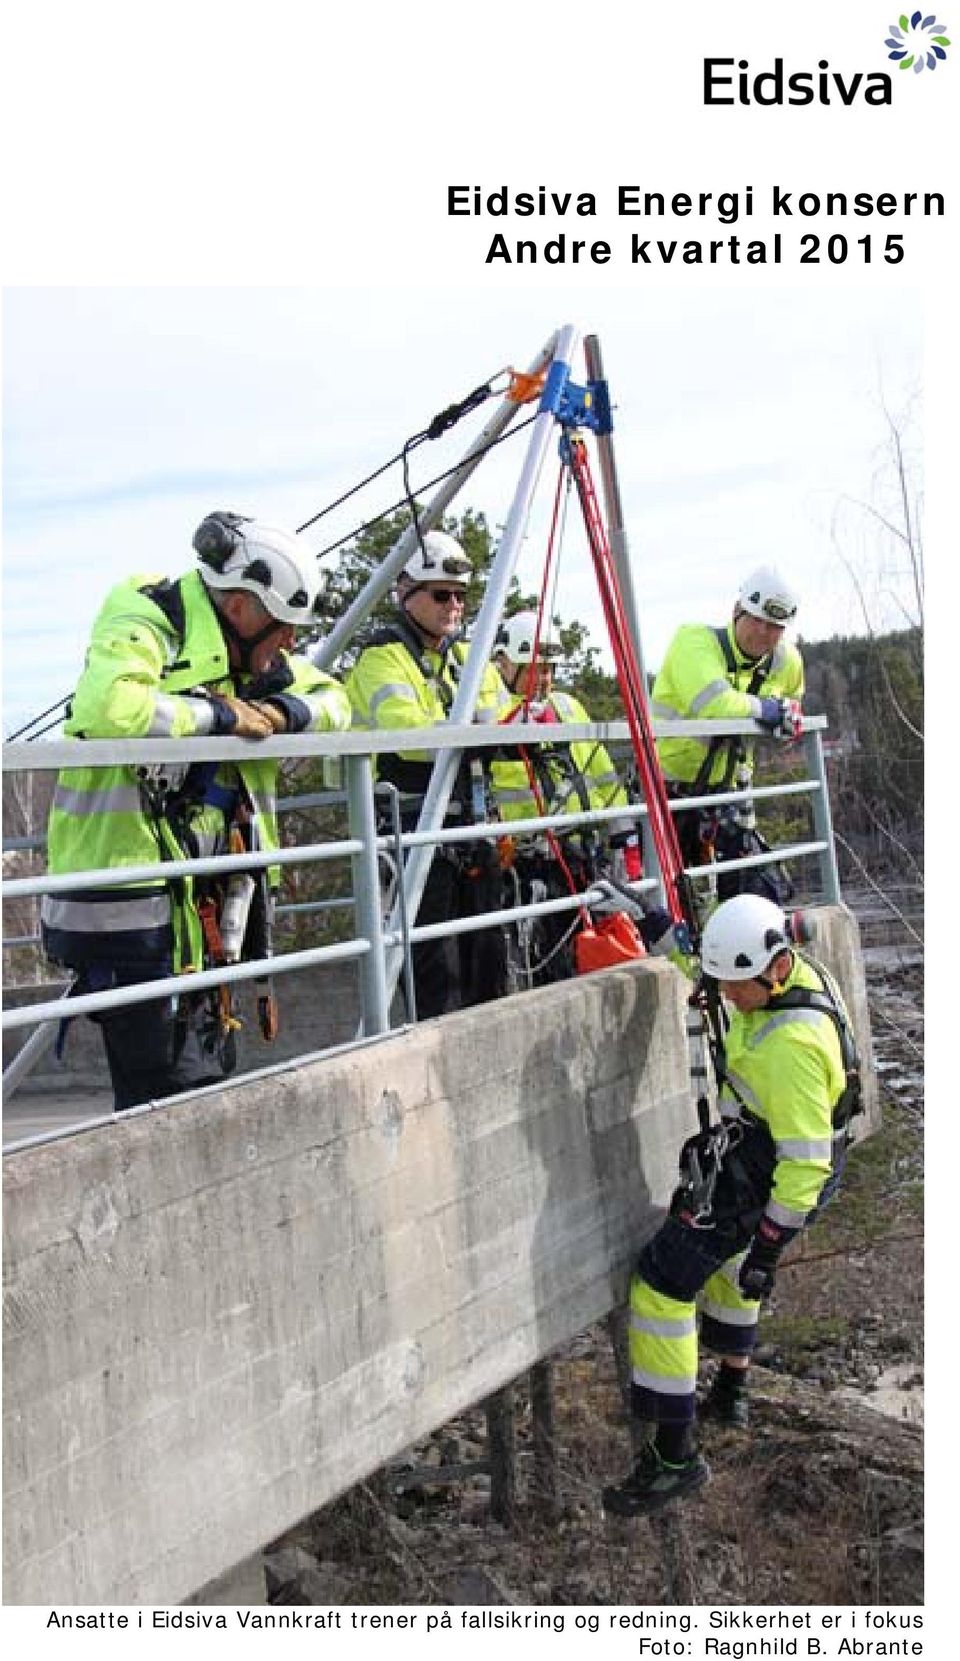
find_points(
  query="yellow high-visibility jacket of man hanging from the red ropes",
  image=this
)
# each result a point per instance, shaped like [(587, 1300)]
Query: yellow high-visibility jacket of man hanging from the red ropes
[(790, 1072)]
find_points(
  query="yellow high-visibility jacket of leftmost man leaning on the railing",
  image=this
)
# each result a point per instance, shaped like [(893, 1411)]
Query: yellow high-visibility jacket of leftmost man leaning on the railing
[(145, 679)]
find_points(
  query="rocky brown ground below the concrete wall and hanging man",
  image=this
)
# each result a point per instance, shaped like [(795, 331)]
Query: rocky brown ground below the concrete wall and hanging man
[(821, 1504)]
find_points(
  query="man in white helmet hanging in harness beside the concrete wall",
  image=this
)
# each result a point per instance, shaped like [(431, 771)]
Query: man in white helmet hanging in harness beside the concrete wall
[(783, 1144)]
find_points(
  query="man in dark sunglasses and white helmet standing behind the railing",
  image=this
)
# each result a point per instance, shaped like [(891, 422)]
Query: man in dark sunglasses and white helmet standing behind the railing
[(406, 679)]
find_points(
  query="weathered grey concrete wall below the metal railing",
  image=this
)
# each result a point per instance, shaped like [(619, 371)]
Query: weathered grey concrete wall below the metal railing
[(223, 1313)]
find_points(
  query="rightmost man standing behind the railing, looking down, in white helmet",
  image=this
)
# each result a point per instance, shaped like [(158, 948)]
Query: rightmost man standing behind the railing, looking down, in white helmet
[(745, 670)]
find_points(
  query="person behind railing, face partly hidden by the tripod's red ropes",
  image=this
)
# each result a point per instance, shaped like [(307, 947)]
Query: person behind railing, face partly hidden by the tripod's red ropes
[(556, 780)]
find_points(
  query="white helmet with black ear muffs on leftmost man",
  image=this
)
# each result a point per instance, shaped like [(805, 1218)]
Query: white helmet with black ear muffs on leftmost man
[(272, 564)]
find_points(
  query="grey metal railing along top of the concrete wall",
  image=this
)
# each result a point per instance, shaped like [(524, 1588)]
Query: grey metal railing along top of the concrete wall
[(381, 951)]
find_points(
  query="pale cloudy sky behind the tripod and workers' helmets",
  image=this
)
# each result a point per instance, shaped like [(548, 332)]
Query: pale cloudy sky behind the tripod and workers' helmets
[(747, 431)]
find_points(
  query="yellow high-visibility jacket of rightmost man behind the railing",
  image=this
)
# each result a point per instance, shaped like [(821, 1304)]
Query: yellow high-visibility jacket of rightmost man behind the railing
[(695, 684)]
